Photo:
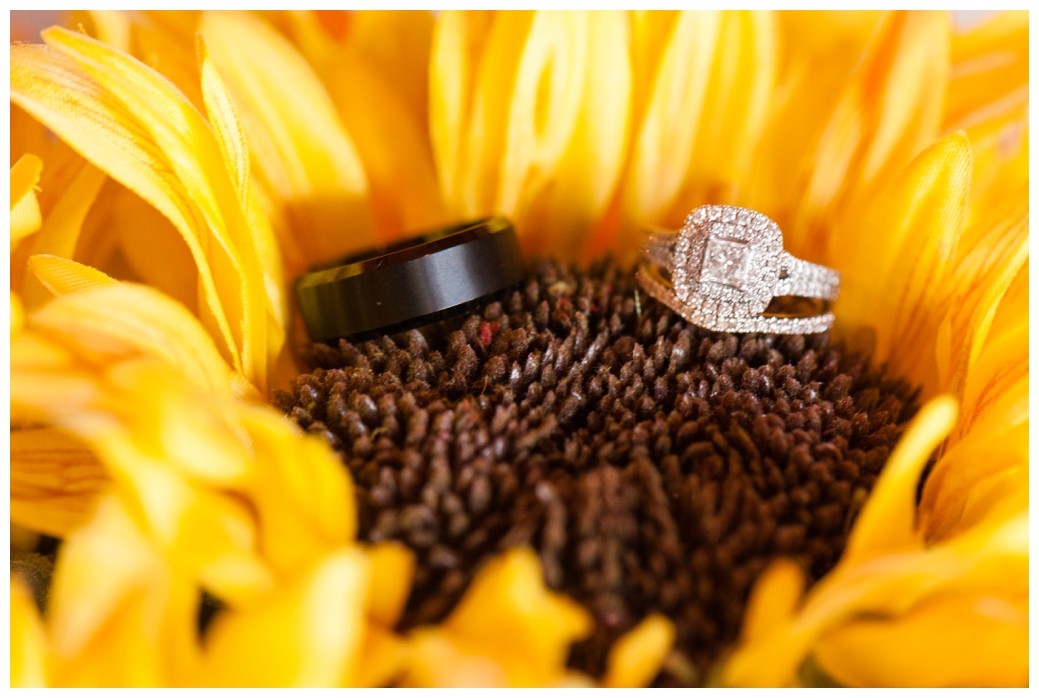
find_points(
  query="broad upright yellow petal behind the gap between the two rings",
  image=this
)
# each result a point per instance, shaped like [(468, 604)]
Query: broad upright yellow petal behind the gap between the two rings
[(563, 195)]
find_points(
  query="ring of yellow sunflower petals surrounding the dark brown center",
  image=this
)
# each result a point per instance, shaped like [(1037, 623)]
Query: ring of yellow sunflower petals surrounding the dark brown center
[(173, 173)]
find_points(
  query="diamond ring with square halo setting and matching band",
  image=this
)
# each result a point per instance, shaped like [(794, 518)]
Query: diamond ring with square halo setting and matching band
[(727, 271)]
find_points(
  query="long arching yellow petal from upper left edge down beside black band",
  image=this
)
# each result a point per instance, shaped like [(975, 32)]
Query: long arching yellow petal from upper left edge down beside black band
[(144, 133)]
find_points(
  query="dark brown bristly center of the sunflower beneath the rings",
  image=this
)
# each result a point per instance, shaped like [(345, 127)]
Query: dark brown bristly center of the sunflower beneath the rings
[(654, 467)]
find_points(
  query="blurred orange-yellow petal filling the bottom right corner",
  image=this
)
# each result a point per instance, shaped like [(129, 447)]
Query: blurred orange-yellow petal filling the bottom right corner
[(955, 640)]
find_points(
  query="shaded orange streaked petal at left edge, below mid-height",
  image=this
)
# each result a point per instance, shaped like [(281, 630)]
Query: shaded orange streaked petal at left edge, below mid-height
[(55, 481)]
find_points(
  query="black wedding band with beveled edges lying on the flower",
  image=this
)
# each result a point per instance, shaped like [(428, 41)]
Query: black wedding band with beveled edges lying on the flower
[(419, 281)]
